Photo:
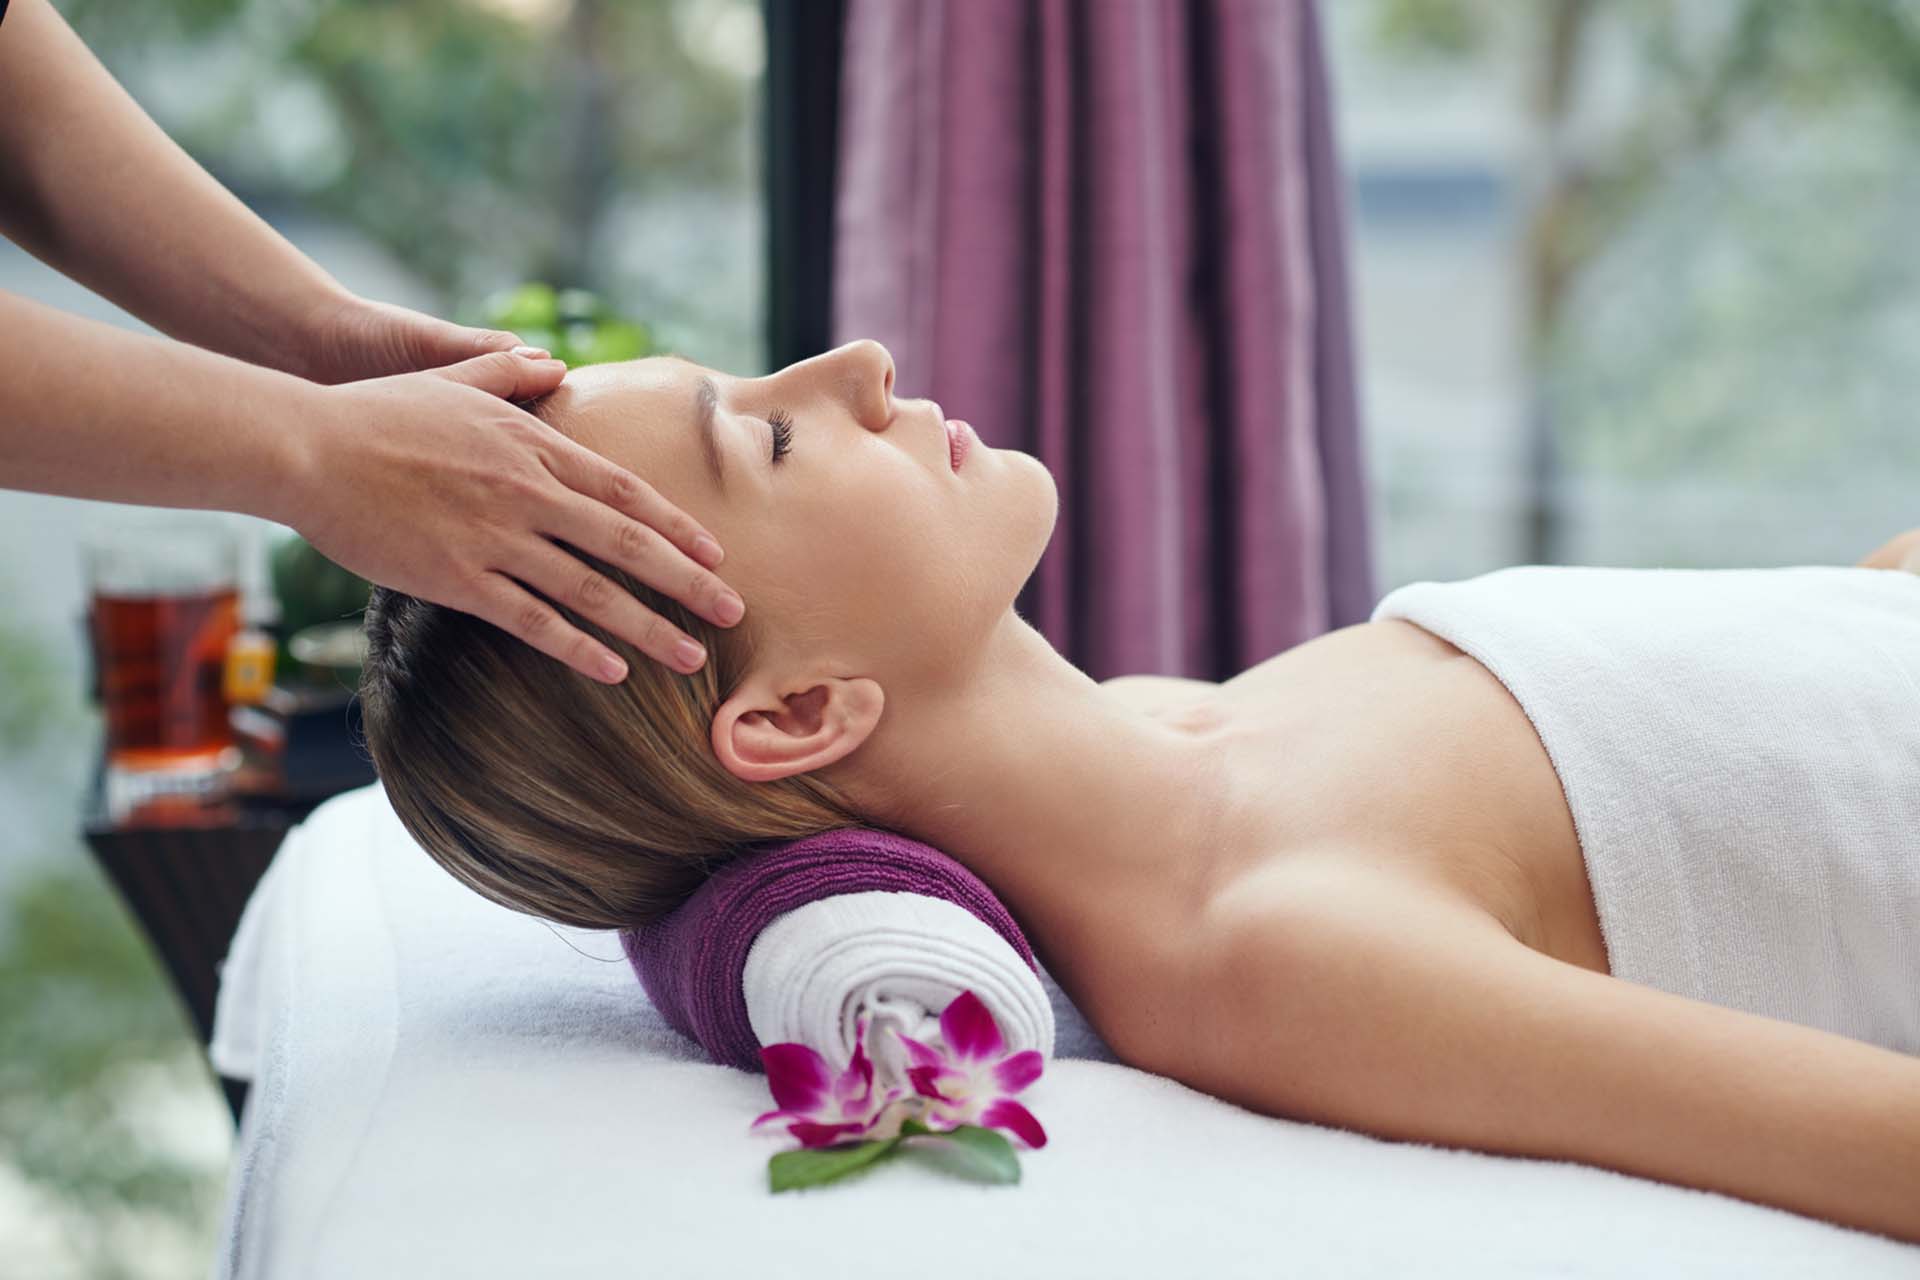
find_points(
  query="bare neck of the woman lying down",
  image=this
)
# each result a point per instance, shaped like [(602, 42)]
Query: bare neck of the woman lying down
[(1088, 817)]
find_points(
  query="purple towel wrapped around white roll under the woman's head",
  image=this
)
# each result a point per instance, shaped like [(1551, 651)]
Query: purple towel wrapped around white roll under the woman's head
[(692, 962)]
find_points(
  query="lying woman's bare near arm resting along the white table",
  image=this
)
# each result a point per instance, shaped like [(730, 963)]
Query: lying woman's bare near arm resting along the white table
[(1416, 1020)]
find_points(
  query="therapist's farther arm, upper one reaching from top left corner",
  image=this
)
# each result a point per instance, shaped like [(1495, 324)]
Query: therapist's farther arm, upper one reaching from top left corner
[(95, 189)]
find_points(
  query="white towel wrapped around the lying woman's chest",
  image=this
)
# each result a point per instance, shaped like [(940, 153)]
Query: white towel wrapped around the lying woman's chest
[(1740, 751)]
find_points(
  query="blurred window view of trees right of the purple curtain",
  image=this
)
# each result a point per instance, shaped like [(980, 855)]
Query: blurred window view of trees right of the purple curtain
[(1664, 323)]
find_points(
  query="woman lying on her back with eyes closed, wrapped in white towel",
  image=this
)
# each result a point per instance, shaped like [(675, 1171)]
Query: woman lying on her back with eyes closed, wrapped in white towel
[(1646, 899)]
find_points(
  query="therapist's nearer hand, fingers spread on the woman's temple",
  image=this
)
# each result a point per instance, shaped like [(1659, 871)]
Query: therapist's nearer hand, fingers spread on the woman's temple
[(439, 486)]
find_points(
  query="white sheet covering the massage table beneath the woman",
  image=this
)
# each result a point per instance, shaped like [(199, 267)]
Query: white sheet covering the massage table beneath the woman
[(448, 1089)]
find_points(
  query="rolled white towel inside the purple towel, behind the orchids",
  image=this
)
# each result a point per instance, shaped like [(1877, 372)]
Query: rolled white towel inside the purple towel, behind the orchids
[(898, 959)]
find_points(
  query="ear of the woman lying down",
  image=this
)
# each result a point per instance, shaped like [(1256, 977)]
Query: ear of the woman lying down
[(763, 734)]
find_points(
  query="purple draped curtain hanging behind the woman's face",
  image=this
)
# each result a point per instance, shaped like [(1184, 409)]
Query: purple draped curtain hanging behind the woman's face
[(1109, 233)]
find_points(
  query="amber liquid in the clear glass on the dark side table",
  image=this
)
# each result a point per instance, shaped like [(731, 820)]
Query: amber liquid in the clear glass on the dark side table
[(160, 661)]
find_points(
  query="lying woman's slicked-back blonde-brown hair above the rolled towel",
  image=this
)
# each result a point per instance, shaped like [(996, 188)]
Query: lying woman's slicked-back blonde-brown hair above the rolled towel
[(556, 795)]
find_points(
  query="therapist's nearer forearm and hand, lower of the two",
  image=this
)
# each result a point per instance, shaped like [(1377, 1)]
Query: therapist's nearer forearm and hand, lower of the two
[(429, 483)]
